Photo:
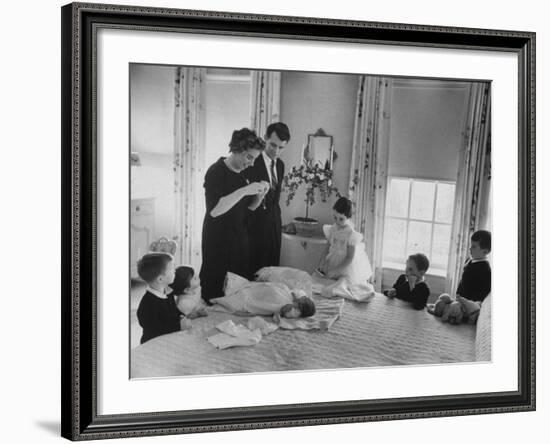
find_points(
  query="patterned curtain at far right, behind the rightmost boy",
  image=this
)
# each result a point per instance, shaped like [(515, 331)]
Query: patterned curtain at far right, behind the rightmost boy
[(472, 199)]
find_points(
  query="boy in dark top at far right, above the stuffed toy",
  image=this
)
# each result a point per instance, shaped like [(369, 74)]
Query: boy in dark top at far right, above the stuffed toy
[(475, 283)]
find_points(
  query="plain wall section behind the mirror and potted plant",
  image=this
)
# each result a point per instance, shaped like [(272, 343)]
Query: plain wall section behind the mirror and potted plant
[(311, 101)]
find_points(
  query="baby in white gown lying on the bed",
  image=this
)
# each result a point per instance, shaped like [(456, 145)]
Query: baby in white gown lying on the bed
[(263, 298)]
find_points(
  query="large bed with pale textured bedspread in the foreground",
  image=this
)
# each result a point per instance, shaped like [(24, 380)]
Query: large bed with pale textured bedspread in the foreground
[(382, 332)]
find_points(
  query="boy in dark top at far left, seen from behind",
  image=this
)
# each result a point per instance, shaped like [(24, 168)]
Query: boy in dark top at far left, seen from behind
[(157, 312)]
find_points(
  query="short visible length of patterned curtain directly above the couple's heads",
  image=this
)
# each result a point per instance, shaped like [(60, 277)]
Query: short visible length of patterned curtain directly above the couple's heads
[(265, 100)]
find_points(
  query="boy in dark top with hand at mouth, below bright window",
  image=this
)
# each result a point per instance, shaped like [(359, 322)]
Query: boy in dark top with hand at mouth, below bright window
[(411, 286)]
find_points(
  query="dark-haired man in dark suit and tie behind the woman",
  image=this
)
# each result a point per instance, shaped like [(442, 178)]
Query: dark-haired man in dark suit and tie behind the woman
[(264, 224)]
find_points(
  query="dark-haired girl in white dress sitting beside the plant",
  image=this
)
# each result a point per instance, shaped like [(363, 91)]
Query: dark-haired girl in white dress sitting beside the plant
[(345, 254)]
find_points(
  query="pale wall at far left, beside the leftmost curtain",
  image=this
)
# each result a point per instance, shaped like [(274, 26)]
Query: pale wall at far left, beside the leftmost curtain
[(152, 136)]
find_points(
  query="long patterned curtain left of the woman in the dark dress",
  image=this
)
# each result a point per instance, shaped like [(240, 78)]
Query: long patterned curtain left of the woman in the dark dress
[(188, 164)]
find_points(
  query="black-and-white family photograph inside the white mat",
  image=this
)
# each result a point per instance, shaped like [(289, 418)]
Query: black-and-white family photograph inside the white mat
[(297, 221)]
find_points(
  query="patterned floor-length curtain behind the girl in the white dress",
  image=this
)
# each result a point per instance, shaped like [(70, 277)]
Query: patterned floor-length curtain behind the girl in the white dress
[(369, 166)]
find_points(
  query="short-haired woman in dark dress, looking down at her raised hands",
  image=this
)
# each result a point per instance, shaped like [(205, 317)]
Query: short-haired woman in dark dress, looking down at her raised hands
[(228, 198)]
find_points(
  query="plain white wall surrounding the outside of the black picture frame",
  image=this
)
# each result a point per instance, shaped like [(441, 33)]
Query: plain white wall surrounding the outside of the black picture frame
[(30, 386)]
